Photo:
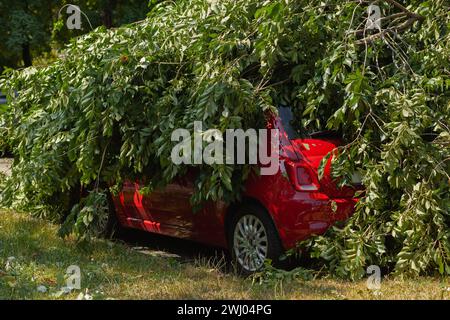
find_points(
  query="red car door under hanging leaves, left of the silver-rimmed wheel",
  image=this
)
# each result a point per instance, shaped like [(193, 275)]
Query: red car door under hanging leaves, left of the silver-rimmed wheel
[(169, 211)]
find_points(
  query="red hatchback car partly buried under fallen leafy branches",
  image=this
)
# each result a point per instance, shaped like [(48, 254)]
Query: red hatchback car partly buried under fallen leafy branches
[(276, 212)]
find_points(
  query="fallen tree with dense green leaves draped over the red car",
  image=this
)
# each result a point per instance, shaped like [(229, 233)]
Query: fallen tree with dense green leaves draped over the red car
[(107, 108)]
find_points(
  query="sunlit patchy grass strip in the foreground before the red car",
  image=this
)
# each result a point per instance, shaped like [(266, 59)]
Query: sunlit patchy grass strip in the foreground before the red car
[(114, 270)]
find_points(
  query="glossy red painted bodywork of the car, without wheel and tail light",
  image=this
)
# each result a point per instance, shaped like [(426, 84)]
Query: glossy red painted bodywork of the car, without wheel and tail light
[(296, 214)]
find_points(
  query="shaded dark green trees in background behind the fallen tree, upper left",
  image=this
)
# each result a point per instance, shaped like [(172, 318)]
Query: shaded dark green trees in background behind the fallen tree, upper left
[(31, 28)]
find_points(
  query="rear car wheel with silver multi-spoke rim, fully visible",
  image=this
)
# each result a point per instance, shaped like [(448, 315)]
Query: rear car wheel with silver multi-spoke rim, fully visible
[(253, 239)]
